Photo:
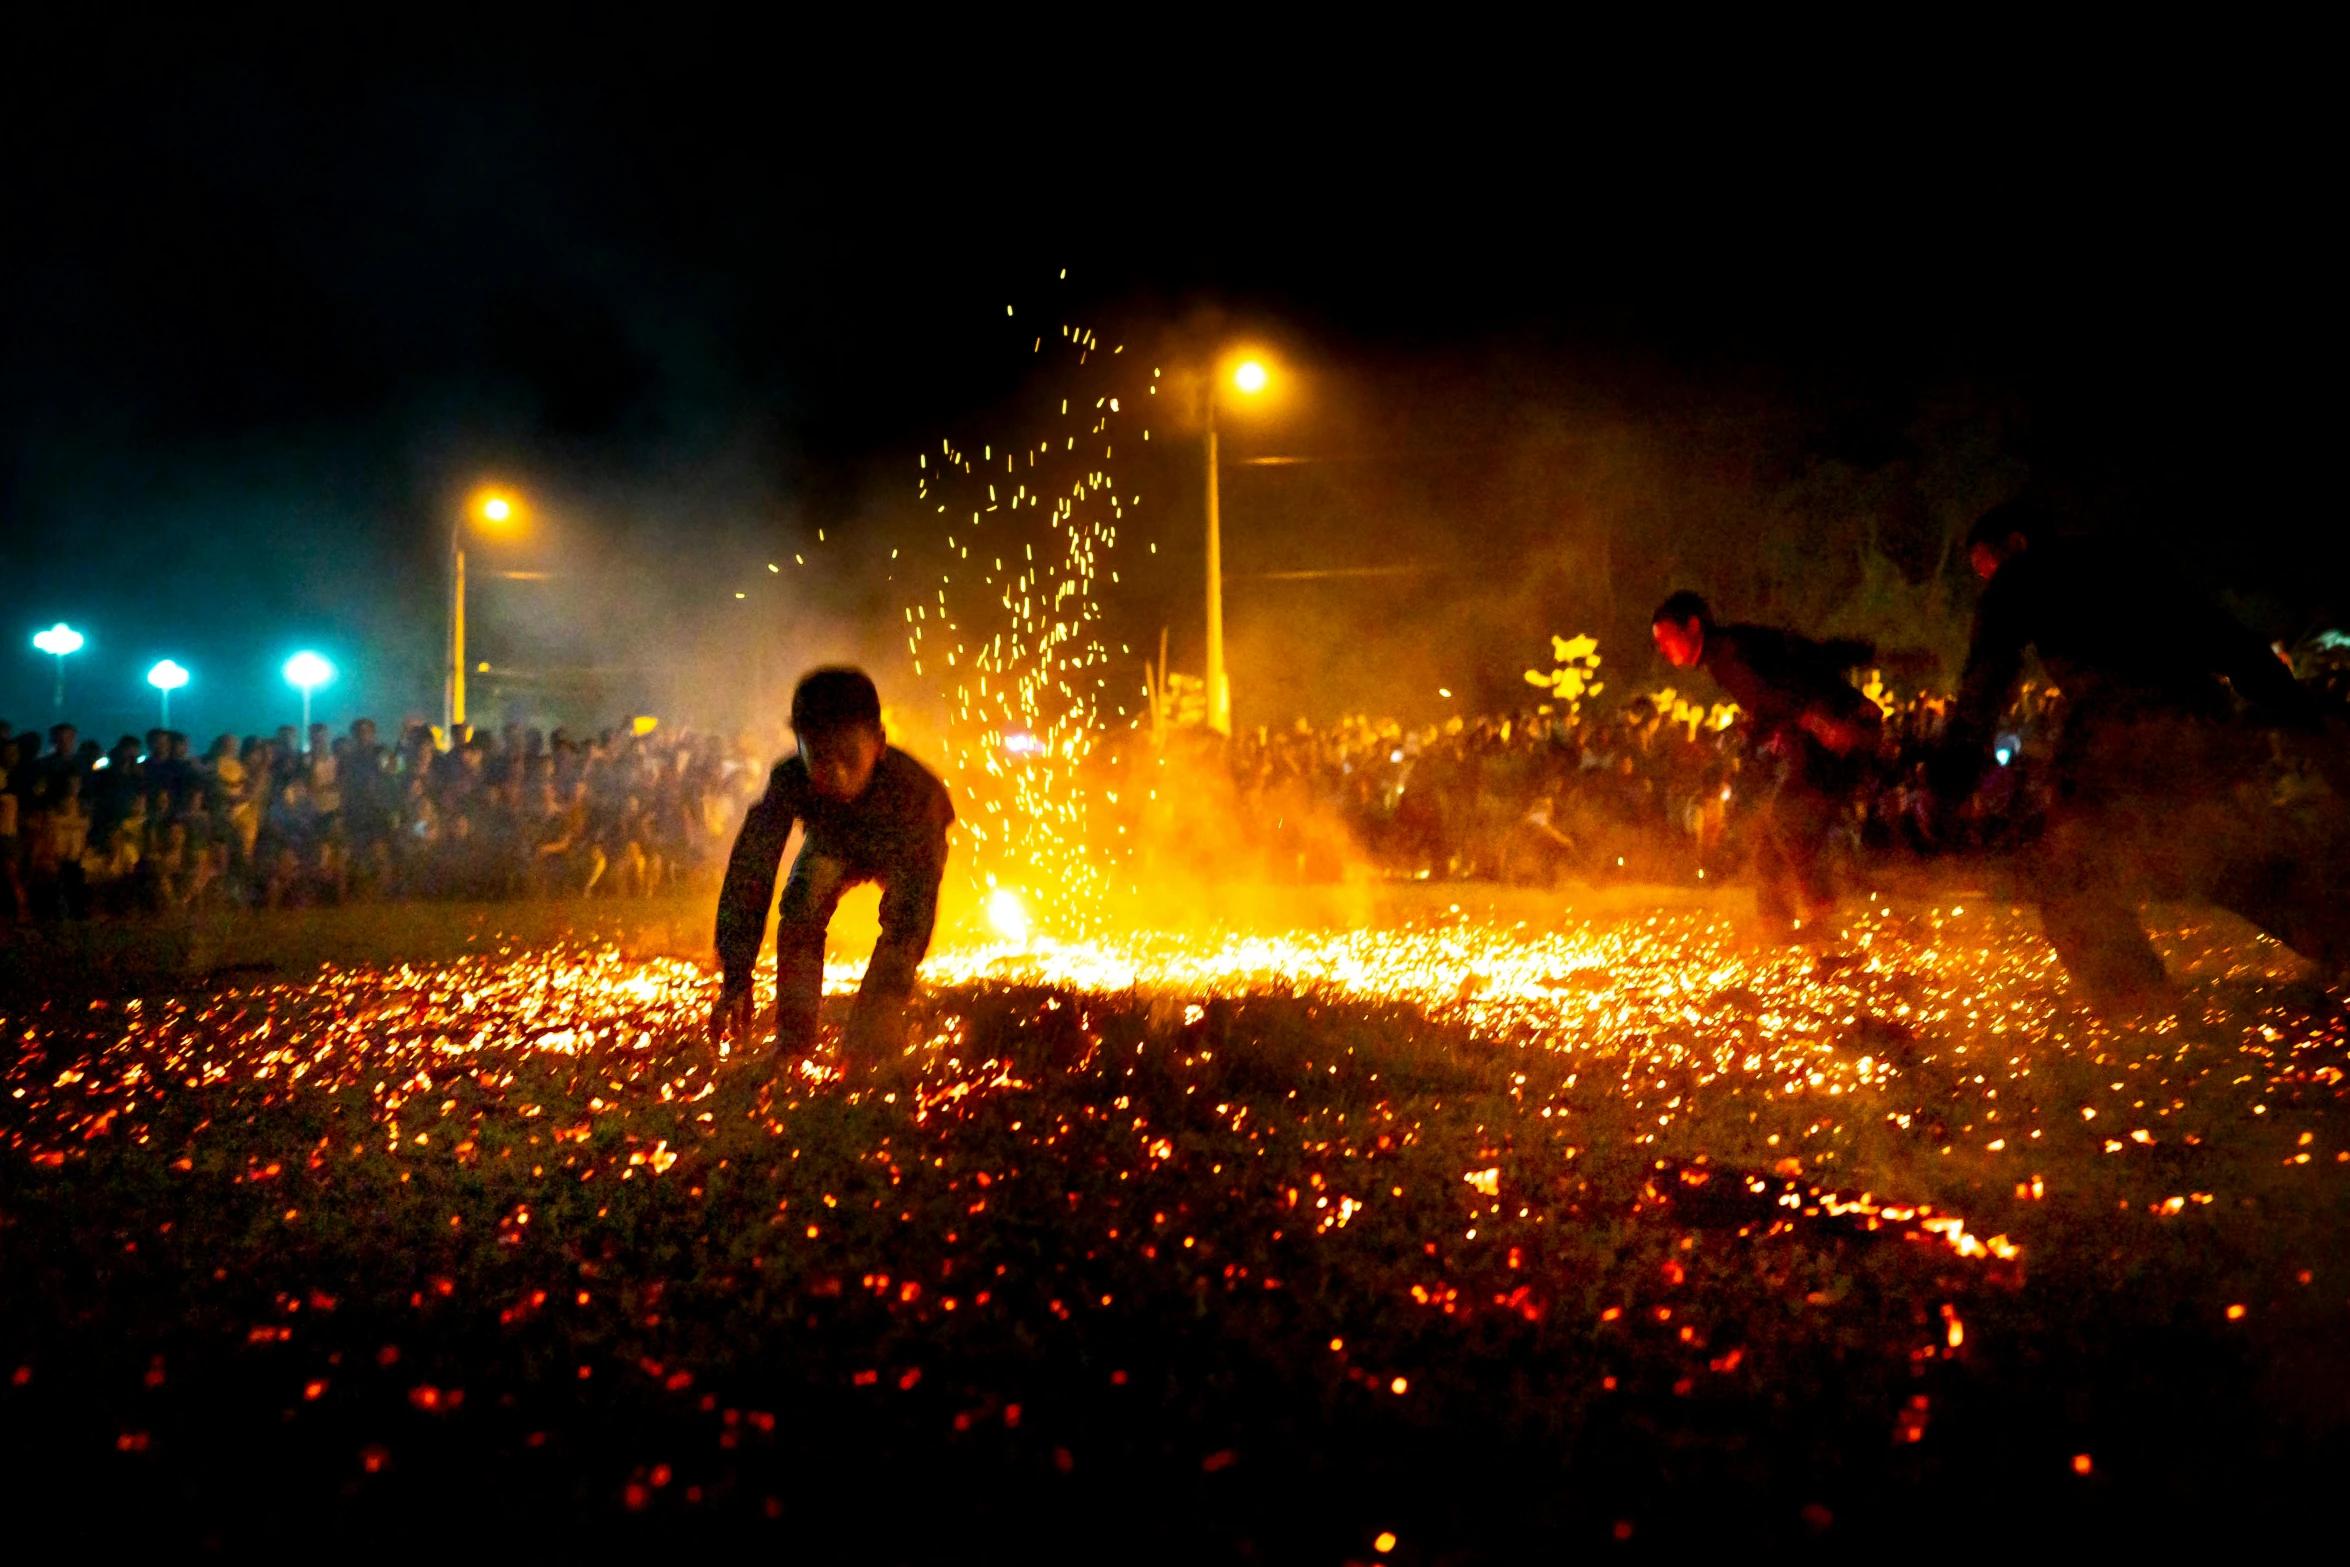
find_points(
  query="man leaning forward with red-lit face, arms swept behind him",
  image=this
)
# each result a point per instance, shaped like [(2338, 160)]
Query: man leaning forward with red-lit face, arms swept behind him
[(1806, 727)]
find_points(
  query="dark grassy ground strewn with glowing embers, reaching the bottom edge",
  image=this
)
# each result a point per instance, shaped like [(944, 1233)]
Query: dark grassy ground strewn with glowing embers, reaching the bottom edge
[(361, 1258)]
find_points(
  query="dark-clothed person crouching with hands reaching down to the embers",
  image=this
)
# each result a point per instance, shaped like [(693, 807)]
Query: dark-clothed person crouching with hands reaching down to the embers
[(871, 814)]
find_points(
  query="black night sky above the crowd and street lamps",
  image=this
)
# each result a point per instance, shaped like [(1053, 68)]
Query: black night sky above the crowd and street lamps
[(274, 302)]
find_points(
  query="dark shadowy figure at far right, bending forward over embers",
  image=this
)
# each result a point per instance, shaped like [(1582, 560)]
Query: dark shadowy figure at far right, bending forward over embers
[(2163, 783)]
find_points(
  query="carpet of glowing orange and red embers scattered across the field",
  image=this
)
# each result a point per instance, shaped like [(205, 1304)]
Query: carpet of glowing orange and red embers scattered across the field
[(1616, 1162)]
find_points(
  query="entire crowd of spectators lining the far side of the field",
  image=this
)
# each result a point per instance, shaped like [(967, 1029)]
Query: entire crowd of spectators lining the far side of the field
[(1651, 791)]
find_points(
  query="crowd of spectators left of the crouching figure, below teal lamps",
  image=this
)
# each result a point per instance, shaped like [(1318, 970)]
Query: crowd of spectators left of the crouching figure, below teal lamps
[(297, 821)]
